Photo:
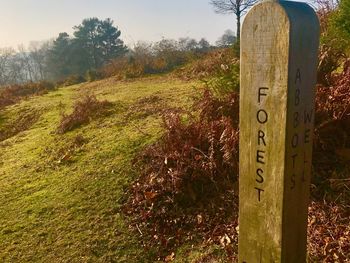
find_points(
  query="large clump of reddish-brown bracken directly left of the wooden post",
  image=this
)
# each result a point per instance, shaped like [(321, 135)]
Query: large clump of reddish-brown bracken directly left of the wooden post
[(187, 187)]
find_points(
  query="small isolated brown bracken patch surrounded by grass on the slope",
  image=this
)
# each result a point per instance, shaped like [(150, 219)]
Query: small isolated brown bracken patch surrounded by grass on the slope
[(84, 110)]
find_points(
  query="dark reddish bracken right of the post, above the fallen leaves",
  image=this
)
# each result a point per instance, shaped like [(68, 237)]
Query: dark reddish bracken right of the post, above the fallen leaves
[(331, 157)]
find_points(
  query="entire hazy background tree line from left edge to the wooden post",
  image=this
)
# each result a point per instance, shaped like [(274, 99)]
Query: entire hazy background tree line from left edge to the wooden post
[(93, 45)]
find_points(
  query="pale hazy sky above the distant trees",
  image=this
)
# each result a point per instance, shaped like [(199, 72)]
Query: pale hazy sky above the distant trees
[(22, 21)]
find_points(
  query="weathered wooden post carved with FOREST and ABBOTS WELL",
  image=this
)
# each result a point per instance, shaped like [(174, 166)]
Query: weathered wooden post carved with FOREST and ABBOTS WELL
[(279, 46)]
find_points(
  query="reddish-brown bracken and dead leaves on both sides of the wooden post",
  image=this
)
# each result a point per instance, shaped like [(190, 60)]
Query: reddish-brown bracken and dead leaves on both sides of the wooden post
[(187, 191)]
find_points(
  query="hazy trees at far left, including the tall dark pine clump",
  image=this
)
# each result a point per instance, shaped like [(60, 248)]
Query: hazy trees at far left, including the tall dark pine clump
[(93, 43)]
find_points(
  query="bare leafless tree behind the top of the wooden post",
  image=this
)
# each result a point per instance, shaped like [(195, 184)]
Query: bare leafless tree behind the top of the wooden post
[(237, 7)]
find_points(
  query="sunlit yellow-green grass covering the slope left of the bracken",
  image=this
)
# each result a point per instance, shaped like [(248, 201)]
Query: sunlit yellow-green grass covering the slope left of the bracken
[(60, 202)]
